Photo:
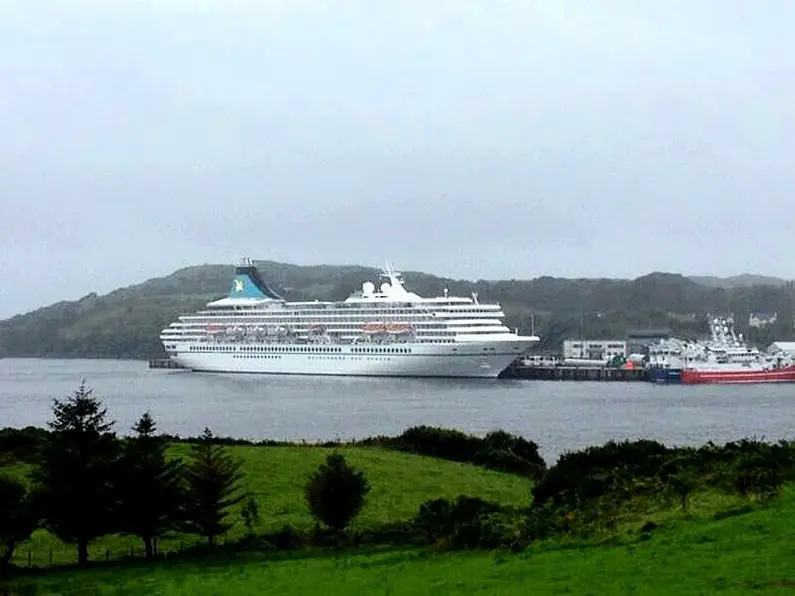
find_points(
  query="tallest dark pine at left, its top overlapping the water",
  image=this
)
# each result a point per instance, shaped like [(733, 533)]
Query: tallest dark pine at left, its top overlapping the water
[(77, 471)]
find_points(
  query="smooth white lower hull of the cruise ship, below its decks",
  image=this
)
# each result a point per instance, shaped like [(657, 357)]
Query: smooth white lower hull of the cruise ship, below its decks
[(475, 360)]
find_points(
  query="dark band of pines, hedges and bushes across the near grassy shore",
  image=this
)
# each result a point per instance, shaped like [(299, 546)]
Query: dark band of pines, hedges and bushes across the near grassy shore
[(88, 483)]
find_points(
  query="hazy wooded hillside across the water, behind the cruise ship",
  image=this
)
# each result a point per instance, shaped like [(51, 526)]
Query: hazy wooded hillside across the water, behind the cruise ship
[(126, 322)]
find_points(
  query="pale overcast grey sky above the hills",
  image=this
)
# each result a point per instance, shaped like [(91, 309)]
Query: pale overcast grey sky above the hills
[(472, 138)]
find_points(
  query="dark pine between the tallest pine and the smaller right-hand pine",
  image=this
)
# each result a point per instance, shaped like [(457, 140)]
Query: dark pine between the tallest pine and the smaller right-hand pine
[(150, 495)]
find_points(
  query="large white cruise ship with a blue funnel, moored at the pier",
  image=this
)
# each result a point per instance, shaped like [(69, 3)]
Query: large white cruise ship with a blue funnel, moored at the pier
[(384, 331)]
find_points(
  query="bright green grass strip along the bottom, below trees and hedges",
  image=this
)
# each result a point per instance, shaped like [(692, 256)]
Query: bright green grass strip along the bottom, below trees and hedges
[(749, 553)]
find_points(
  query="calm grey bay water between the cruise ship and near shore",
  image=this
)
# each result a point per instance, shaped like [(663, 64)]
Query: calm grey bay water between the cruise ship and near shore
[(558, 415)]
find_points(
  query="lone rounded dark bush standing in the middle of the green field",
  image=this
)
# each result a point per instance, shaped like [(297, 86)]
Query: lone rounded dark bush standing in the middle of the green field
[(336, 492)]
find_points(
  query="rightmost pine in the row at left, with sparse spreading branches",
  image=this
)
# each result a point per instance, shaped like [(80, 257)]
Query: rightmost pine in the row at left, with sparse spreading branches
[(213, 482)]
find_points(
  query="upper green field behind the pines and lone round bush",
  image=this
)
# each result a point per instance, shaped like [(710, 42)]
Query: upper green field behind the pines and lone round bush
[(276, 477)]
